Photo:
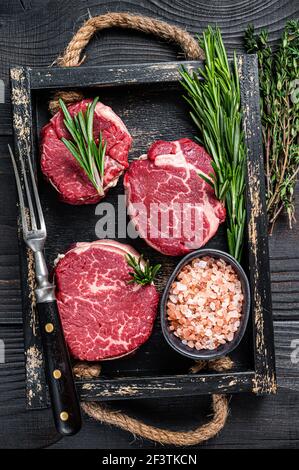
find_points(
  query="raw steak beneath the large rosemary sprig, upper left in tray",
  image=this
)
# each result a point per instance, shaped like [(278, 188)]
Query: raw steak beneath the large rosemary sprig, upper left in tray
[(61, 168)]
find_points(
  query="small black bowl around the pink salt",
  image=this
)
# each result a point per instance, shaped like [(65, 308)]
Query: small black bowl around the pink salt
[(226, 348)]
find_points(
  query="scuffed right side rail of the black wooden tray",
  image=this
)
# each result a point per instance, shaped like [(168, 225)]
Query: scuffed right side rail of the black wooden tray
[(258, 250)]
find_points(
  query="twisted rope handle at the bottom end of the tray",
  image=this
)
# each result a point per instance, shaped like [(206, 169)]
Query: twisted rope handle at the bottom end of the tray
[(163, 436)]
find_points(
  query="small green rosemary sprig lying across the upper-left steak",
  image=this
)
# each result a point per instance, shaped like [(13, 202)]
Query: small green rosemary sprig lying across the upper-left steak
[(89, 155)]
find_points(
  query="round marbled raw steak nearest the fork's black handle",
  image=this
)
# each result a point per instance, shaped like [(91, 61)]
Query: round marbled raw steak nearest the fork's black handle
[(103, 317)]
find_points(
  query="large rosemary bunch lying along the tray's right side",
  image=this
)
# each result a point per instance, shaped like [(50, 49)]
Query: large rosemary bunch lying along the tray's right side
[(213, 94)]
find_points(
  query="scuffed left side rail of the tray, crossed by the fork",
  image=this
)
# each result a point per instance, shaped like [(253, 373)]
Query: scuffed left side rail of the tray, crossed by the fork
[(36, 390)]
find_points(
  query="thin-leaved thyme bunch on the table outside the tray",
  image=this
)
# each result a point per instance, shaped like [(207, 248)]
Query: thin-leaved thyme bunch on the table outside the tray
[(279, 90)]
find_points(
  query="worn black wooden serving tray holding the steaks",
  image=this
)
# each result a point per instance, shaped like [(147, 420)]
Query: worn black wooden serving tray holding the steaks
[(148, 98)]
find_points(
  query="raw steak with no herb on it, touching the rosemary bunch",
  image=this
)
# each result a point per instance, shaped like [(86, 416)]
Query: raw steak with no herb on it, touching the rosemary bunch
[(171, 206)]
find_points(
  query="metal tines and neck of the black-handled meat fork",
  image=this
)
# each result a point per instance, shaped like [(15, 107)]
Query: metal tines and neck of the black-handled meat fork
[(34, 231)]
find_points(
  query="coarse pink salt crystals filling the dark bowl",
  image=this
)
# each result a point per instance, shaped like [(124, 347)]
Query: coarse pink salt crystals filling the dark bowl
[(204, 307)]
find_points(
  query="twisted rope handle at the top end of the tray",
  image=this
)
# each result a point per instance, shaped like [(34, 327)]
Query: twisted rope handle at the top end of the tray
[(72, 56)]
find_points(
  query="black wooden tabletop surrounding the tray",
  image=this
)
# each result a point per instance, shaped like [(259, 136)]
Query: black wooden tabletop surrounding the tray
[(34, 32)]
